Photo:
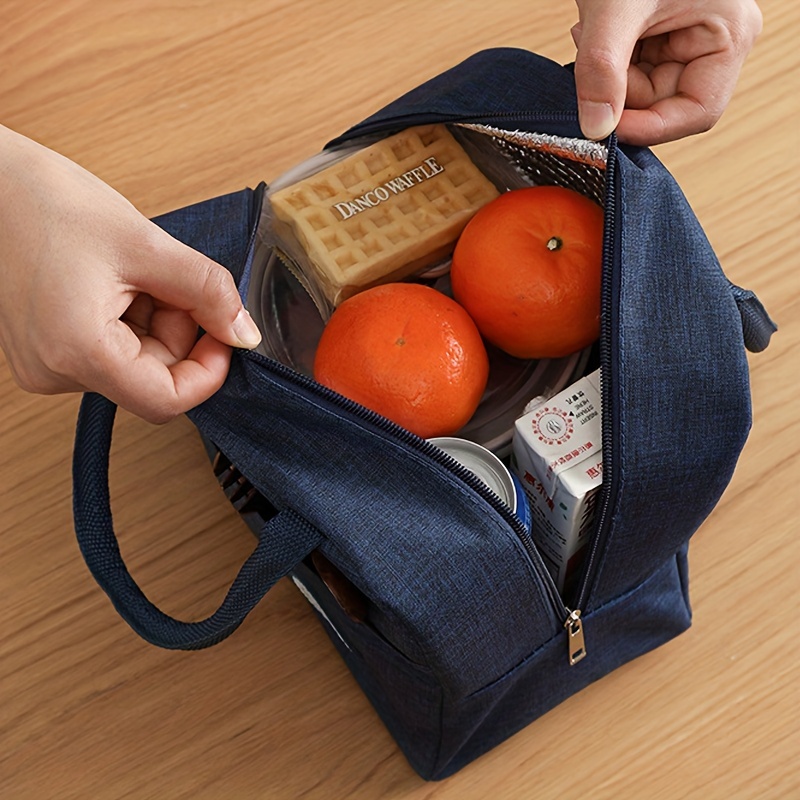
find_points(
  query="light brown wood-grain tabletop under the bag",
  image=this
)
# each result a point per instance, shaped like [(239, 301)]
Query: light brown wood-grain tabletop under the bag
[(173, 102)]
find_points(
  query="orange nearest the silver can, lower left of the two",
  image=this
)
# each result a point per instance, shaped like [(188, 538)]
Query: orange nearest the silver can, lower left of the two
[(408, 352)]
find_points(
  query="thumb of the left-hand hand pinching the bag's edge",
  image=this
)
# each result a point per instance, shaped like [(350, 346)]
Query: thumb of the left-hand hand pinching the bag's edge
[(186, 279)]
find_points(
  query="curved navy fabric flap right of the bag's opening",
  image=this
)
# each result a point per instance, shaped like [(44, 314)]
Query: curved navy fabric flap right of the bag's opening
[(681, 381)]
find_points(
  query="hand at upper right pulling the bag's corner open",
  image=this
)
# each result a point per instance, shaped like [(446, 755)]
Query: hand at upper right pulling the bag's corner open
[(658, 70)]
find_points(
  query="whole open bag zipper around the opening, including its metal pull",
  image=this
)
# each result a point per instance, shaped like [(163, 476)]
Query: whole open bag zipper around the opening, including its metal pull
[(569, 618)]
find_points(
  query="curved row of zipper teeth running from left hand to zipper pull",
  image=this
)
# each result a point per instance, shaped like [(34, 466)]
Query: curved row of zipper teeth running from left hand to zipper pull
[(432, 451)]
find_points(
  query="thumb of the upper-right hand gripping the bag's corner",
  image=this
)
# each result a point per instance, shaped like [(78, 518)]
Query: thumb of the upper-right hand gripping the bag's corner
[(605, 39)]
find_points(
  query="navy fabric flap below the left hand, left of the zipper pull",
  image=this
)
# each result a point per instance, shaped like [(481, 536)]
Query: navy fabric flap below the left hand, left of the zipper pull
[(414, 539)]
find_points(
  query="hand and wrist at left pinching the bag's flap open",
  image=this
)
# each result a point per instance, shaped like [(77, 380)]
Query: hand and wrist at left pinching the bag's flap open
[(95, 297)]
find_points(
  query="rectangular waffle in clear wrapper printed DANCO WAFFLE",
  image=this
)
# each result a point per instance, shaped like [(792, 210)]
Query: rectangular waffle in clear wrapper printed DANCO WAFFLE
[(383, 213)]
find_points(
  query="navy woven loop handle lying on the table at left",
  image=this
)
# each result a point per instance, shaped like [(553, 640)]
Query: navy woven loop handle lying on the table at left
[(283, 542)]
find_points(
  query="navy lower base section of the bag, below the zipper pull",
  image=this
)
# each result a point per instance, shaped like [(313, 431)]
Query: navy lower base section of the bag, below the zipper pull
[(441, 734)]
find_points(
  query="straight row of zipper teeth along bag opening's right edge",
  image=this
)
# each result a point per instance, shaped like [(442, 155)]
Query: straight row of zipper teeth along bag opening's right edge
[(606, 376)]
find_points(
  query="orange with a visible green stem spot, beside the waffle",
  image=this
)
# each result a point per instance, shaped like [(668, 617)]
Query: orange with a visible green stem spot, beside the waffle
[(528, 267)]
